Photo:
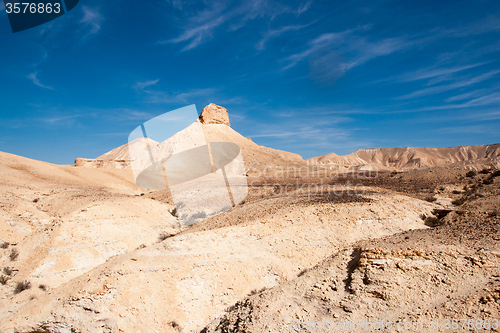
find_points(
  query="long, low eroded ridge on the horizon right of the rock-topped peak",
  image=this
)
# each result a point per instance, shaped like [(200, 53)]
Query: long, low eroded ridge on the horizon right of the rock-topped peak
[(408, 158)]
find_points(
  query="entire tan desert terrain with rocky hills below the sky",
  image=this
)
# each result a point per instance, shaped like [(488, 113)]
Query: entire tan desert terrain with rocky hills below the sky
[(394, 239)]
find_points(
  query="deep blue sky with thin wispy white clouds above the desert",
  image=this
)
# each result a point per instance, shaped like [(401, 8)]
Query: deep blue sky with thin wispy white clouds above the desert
[(310, 76)]
